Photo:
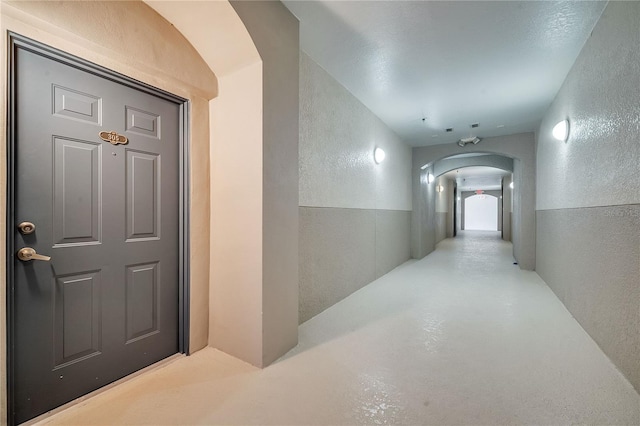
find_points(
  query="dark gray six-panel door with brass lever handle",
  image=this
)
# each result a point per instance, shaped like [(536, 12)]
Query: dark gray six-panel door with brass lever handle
[(107, 302)]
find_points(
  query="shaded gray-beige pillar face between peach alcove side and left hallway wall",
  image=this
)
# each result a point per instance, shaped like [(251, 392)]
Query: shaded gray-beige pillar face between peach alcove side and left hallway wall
[(275, 32)]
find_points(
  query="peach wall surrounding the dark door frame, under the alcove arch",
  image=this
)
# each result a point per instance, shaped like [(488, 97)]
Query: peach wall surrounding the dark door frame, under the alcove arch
[(149, 49)]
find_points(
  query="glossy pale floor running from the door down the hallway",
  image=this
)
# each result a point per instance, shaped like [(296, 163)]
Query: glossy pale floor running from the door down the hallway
[(459, 337)]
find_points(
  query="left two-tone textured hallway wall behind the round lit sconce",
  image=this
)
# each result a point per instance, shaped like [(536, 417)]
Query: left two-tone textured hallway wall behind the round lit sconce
[(354, 214)]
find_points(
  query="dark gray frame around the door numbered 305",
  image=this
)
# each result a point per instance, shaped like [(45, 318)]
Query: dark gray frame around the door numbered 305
[(16, 41)]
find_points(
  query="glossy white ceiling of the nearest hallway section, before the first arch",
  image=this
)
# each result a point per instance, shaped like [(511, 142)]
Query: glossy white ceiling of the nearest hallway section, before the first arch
[(454, 62)]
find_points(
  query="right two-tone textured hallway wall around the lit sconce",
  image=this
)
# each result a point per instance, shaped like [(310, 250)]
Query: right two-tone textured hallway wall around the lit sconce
[(588, 204)]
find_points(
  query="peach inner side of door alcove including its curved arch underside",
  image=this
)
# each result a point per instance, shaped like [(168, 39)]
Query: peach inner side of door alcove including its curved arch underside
[(237, 141)]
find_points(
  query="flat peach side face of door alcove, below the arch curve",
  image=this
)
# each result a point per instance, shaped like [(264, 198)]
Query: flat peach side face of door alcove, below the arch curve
[(236, 218)]
